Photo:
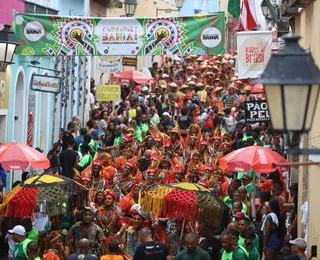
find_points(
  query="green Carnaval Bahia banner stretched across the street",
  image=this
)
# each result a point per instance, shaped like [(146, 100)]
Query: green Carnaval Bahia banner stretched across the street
[(45, 35)]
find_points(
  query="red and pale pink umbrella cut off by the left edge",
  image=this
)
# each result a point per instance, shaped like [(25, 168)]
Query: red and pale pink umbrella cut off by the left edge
[(14, 156)]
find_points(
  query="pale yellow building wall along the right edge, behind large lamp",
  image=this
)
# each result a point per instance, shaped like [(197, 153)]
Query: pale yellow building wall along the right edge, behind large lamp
[(307, 25)]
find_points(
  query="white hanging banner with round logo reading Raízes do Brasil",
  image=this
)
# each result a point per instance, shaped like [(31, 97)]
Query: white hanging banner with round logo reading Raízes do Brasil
[(254, 50)]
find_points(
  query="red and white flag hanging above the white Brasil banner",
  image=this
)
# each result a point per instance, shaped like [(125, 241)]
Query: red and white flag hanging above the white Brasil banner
[(249, 15)]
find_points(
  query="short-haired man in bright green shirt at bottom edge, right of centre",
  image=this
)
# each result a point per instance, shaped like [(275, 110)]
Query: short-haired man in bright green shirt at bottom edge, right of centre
[(230, 251)]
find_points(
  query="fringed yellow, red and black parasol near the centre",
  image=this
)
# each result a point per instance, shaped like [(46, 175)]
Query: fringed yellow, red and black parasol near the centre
[(183, 201)]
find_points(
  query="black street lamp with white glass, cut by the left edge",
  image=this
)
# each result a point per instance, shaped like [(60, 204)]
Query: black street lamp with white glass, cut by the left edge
[(8, 44)]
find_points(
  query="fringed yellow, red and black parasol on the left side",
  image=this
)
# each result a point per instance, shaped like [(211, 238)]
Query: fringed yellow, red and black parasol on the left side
[(54, 190)]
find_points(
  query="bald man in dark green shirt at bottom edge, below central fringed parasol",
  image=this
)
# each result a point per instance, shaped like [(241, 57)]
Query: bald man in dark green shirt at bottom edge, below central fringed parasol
[(192, 251)]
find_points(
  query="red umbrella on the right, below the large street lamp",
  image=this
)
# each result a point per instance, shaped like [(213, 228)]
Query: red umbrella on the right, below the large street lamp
[(256, 157)]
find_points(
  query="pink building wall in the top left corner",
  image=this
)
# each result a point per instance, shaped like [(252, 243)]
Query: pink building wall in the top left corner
[(6, 7)]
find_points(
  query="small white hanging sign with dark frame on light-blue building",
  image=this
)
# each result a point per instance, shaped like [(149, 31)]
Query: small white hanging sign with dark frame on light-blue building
[(45, 83)]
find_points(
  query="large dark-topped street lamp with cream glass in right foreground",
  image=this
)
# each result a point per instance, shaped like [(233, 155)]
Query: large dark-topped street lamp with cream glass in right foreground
[(291, 82)]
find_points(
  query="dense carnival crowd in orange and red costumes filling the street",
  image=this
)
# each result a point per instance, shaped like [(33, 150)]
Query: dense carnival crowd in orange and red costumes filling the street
[(171, 131)]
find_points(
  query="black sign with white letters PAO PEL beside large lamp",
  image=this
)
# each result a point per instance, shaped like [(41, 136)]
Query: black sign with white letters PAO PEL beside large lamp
[(256, 111)]
